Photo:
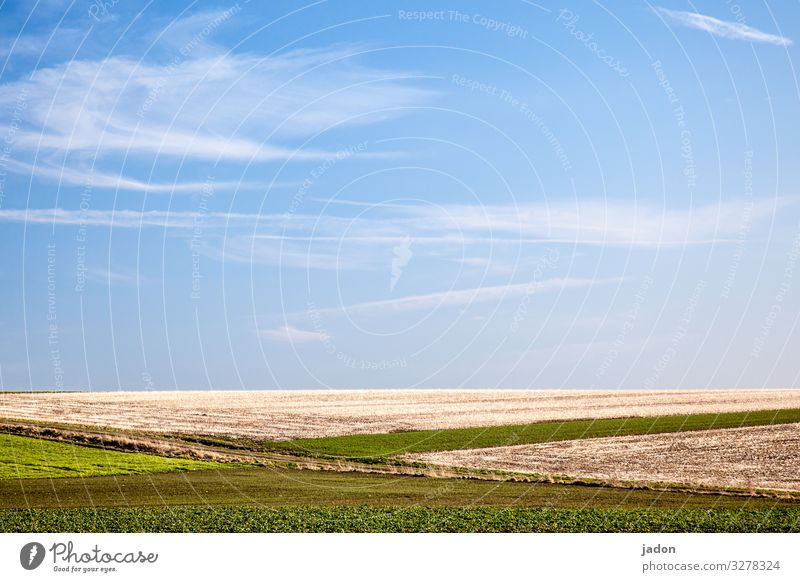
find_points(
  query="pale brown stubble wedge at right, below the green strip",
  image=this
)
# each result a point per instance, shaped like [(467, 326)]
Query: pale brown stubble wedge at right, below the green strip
[(760, 457)]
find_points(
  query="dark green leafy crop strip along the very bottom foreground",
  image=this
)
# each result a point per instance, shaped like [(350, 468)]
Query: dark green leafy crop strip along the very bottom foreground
[(396, 519)]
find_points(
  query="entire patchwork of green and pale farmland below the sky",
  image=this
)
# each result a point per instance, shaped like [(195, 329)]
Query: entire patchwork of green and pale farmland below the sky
[(418, 461)]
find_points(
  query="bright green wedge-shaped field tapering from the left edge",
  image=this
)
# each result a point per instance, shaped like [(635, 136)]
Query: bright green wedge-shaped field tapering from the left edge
[(27, 458)]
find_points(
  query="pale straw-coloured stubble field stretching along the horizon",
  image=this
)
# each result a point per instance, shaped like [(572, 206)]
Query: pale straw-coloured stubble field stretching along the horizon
[(282, 415)]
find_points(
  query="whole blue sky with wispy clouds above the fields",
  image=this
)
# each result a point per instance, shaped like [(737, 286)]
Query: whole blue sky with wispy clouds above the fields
[(355, 195)]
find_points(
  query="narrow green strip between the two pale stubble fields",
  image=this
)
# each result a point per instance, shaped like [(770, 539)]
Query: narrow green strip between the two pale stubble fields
[(377, 446)]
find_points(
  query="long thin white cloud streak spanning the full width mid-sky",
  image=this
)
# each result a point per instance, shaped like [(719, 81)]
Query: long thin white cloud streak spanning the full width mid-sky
[(583, 222)]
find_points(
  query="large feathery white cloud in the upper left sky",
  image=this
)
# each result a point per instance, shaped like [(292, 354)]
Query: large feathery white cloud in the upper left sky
[(229, 106)]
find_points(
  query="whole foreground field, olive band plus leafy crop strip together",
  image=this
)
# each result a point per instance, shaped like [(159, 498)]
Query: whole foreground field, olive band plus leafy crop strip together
[(286, 500)]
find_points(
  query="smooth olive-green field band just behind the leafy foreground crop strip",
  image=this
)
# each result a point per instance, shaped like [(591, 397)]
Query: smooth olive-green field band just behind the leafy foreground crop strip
[(286, 487)]
